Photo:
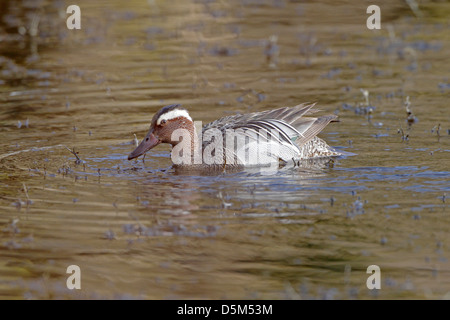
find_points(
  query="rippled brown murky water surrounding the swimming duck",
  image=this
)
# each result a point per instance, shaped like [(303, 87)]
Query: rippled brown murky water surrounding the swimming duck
[(141, 230)]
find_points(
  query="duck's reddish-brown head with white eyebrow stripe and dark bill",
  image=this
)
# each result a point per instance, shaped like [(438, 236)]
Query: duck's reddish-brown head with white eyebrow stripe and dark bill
[(164, 123)]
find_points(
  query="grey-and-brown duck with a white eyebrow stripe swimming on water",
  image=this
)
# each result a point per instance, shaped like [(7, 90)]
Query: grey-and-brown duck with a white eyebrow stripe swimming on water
[(277, 136)]
